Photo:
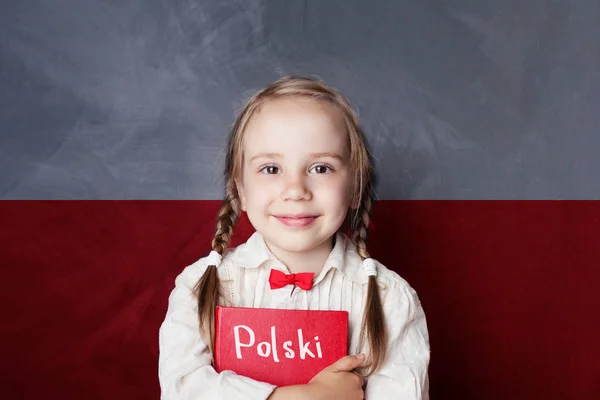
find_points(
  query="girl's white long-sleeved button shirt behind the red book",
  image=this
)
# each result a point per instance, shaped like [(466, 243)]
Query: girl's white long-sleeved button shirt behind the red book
[(185, 371)]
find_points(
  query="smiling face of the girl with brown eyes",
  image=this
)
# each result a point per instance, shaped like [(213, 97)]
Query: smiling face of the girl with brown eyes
[(296, 182)]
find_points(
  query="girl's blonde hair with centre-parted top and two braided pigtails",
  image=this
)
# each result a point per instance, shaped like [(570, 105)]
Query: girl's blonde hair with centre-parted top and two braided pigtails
[(208, 287)]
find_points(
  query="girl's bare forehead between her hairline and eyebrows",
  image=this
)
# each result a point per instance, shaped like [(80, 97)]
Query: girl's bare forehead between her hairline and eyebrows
[(296, 126)]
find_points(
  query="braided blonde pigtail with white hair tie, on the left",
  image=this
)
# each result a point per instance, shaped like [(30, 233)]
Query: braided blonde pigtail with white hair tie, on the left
[(208, 287)]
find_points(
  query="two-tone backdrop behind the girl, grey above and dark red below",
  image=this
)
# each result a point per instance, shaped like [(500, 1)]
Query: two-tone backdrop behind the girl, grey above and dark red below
[(483, 121)]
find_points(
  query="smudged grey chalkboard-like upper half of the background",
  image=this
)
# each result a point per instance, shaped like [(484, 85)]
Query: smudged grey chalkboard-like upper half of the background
[(460, 99)]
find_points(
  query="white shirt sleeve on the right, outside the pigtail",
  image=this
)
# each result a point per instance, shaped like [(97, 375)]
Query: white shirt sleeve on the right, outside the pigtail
[(404, 374)]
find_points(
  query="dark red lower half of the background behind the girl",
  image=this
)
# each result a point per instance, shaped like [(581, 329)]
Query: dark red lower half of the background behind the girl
[(510, 289)]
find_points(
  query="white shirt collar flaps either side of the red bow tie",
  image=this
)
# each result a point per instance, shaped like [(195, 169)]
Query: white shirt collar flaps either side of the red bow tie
[(343, 257)]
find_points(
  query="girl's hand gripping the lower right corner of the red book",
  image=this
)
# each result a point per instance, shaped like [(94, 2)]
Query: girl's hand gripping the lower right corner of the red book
[(338, 382)]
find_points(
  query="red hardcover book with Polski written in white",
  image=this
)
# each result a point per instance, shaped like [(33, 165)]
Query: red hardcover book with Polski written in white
[(282, 347)]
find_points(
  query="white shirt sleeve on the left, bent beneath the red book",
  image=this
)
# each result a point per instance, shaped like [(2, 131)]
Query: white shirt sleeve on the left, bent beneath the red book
[(184, 367)]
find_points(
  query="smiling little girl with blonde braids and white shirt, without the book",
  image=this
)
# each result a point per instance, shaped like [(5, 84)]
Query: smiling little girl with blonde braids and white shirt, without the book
[(298, 165)]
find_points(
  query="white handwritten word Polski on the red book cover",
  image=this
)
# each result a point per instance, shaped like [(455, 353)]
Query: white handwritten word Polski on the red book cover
[(266, 349)]
